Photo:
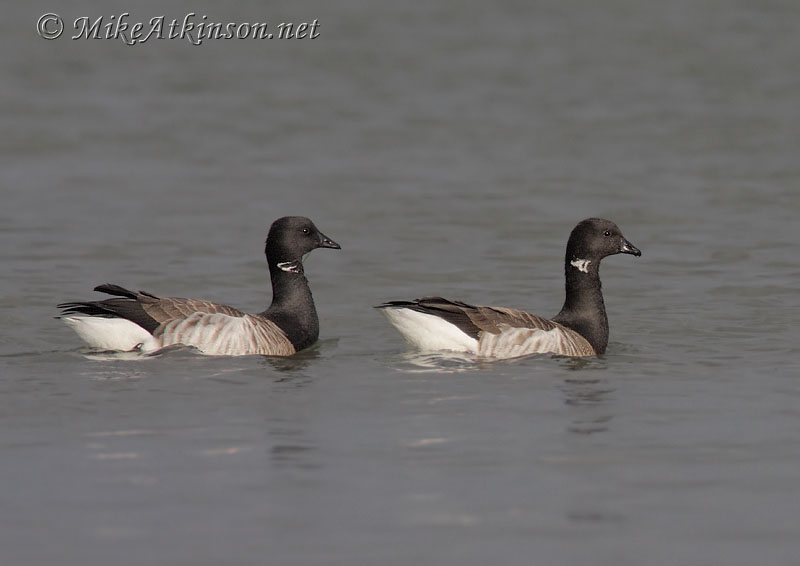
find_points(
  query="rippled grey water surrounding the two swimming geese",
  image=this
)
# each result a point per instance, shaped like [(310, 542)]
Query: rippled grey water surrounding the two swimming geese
[(450, 149)]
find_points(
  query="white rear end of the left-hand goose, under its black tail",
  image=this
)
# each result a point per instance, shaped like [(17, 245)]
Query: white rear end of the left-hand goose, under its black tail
[(111, 333)]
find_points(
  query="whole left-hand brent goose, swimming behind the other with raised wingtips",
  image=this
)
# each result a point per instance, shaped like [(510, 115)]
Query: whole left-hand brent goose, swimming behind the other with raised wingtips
[(141, 321)]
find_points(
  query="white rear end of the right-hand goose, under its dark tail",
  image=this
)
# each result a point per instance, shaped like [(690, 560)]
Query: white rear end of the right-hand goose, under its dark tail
[(429, 332)]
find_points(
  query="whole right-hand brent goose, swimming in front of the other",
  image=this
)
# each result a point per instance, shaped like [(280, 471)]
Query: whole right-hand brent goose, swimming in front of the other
[(580, 329)]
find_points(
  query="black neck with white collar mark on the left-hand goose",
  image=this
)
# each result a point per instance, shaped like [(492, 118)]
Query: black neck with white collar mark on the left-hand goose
[(292, 305)]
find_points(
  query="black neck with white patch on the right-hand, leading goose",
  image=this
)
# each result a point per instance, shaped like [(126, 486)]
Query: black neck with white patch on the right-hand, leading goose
[(584, 310)]
